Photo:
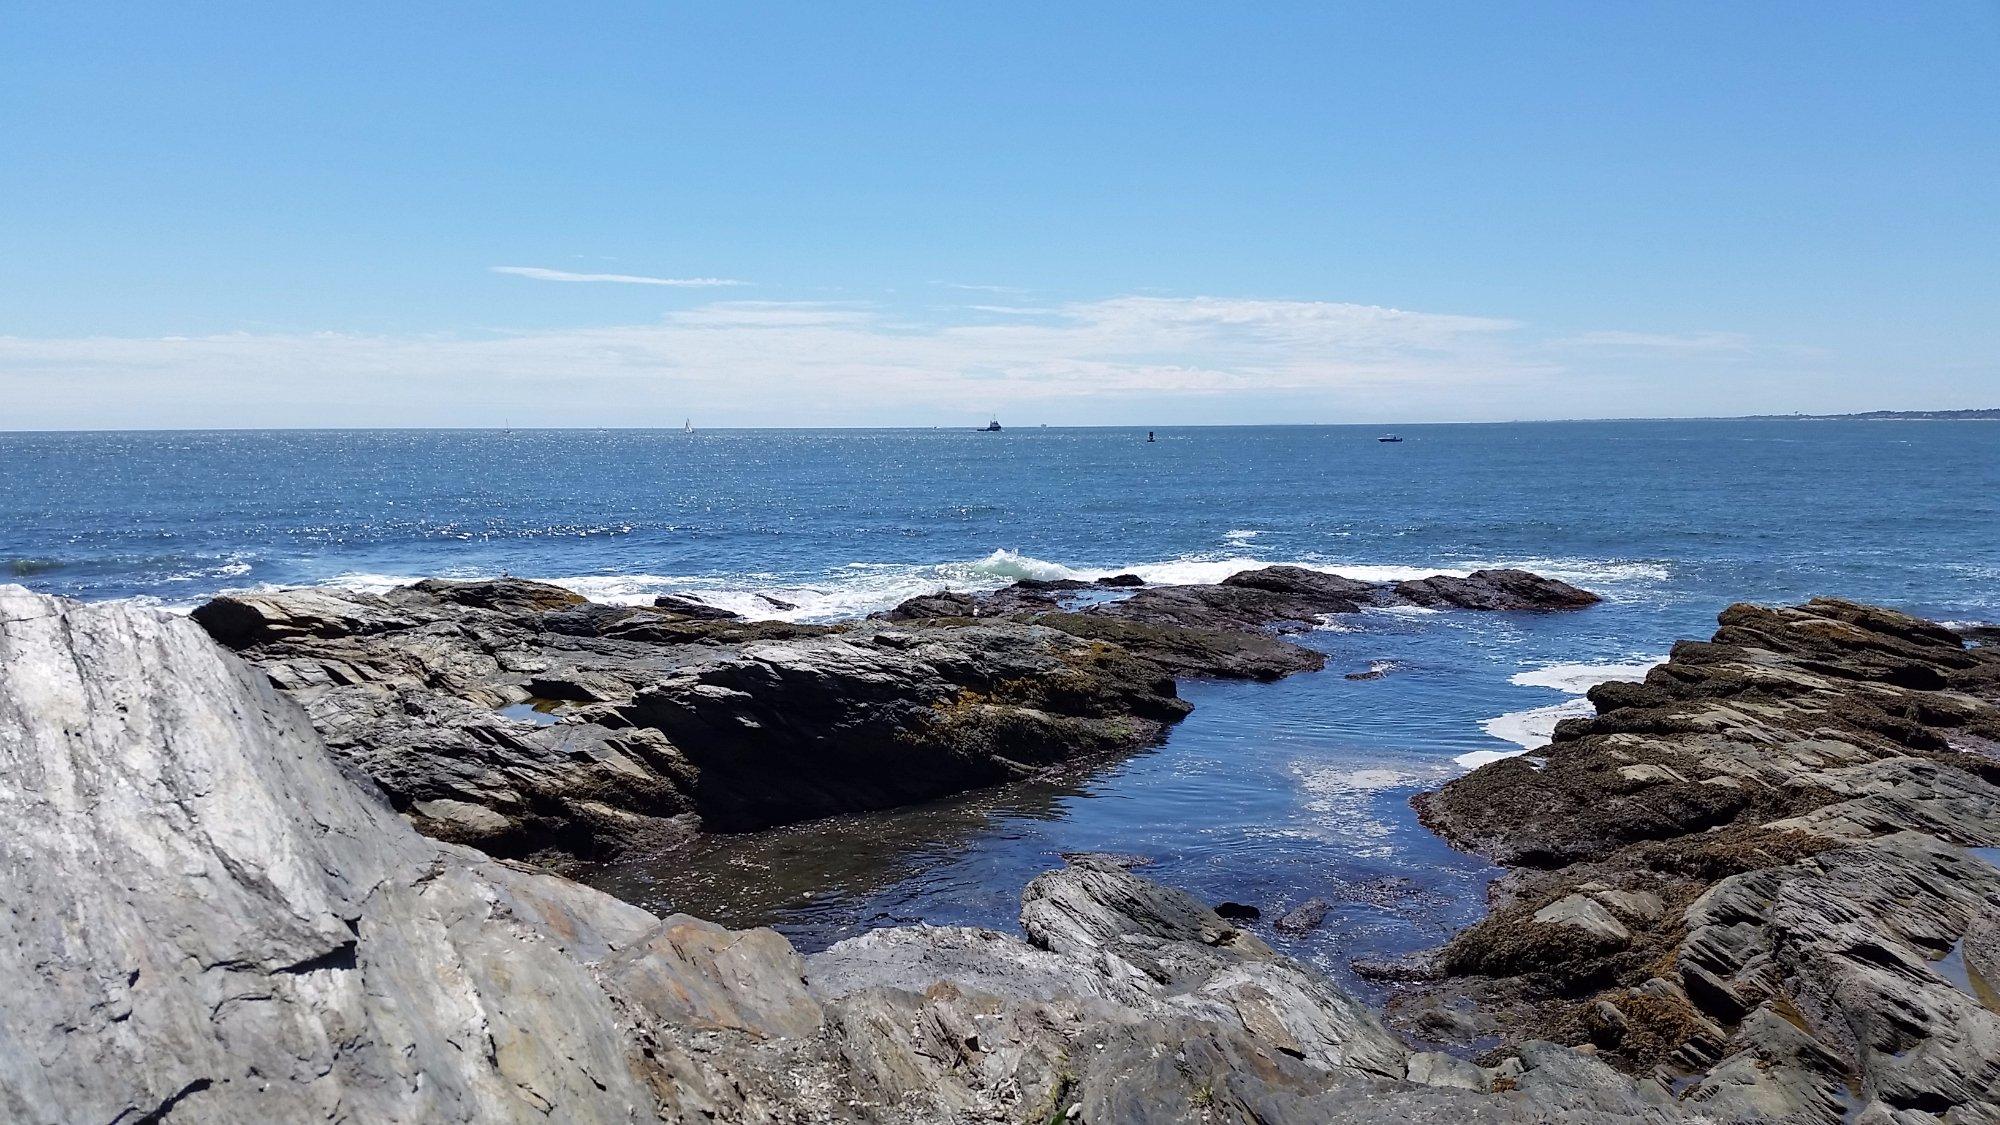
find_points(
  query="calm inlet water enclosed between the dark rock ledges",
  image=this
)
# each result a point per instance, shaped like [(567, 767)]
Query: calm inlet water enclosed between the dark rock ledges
[(1267, 796)]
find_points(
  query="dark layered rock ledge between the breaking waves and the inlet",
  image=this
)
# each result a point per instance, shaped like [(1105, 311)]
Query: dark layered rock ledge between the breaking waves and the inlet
[(533, 724)]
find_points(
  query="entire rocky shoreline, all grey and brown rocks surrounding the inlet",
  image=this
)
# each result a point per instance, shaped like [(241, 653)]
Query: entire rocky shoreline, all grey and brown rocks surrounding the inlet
[(1749, 890)]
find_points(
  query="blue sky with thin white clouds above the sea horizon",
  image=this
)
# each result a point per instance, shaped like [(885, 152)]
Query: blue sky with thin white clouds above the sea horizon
[(779, 215)]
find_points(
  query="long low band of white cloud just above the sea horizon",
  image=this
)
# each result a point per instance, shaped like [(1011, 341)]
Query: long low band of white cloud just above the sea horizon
[(821, 363)]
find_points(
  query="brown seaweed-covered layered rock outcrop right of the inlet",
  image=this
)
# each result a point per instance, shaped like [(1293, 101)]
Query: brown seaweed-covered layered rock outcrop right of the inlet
[(1757, 874)]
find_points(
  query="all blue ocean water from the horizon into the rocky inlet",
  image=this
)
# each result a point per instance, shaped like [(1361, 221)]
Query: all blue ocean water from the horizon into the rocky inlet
[(1269, 794)]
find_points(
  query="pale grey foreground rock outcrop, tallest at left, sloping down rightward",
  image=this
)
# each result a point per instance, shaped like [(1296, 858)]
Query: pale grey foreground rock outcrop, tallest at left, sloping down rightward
[(211, 922)]
